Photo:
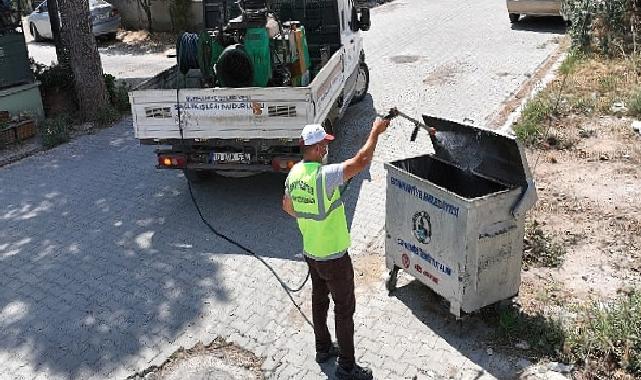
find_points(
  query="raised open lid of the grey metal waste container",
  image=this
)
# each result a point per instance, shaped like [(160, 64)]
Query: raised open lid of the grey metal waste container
[(484, 152)]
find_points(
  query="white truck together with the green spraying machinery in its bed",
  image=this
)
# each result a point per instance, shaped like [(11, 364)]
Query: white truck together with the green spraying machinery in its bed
[(246, 85)]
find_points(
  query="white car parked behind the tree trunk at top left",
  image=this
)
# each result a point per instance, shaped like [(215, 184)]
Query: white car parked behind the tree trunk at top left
[(105, 20)]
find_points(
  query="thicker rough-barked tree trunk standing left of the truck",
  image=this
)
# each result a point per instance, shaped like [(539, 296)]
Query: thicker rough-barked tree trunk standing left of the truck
[(83, 57)]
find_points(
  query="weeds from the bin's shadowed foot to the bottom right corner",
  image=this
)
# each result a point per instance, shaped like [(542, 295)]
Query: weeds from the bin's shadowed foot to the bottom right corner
[(601, 337)]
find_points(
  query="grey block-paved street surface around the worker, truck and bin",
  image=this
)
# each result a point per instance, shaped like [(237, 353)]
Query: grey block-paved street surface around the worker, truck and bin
[(106, 269)]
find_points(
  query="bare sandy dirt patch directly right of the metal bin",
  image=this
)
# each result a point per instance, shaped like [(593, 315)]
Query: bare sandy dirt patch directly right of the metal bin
[(590, 200)]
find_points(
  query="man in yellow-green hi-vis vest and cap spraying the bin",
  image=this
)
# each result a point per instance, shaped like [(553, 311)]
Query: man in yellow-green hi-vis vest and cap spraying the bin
[(313, 197)]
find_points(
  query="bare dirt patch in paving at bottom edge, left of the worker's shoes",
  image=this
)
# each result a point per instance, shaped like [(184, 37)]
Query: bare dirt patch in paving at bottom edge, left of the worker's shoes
[(217, 360)]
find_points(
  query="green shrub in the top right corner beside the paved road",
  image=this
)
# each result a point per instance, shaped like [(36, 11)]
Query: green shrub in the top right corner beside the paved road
[(603, 27)]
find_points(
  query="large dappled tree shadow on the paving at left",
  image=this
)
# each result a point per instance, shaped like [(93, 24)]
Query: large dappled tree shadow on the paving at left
[(98, 262)]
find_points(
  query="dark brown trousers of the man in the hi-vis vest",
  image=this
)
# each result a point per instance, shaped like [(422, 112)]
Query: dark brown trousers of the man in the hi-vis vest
[(335, 277)]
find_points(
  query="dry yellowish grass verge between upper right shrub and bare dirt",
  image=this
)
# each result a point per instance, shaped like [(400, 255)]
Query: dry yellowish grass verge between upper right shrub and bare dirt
[(586, 86)]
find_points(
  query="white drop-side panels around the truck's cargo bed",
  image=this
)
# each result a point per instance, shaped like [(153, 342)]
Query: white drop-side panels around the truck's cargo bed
[(236, 113)]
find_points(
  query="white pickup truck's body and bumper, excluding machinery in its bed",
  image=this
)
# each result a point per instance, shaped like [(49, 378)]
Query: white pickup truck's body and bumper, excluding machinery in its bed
[(248, 130)]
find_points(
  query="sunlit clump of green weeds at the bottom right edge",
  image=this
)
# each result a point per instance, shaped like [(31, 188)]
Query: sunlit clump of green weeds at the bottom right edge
[(608, 334)]
